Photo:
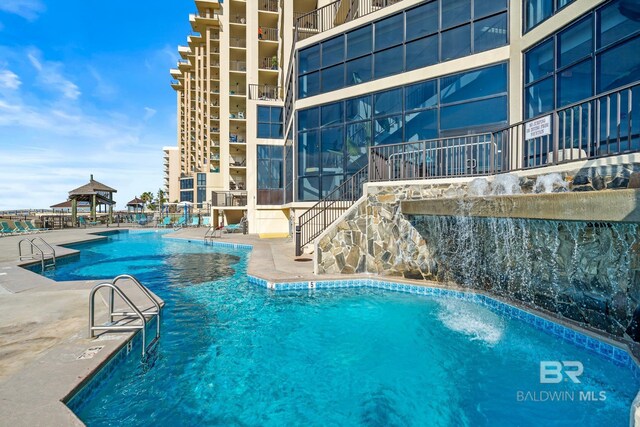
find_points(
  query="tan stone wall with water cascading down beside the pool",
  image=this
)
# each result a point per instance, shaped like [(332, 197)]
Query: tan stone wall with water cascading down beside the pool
[(586, 272)]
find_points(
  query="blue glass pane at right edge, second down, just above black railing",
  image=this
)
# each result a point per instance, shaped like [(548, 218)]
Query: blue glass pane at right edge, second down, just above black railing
[(619, 66)]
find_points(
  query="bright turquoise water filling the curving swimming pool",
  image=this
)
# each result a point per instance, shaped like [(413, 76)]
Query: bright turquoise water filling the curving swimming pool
[(232, 353)]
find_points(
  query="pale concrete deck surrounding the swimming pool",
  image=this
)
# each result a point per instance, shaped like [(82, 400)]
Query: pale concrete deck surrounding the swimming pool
[(43, 323)]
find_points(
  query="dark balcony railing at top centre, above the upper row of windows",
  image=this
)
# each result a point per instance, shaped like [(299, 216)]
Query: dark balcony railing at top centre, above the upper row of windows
[(334, 14)]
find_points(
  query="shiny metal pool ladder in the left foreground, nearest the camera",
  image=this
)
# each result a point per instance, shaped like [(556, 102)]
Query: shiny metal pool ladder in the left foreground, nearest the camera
[(136, 313)]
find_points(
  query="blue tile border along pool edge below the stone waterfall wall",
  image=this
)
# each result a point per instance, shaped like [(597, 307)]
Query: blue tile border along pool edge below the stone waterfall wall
[(611, 352)]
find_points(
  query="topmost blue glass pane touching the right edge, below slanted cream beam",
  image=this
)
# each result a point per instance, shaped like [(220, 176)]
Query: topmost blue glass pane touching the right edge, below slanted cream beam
[(616, 22)]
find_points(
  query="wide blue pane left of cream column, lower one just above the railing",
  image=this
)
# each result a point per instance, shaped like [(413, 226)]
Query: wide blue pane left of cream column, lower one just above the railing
[(475, 116)]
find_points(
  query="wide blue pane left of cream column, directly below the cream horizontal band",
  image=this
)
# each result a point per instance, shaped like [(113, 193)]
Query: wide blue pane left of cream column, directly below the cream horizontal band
[(474, 84)]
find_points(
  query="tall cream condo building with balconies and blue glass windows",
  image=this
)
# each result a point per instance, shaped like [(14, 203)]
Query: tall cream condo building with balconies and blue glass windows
[(279, 102)]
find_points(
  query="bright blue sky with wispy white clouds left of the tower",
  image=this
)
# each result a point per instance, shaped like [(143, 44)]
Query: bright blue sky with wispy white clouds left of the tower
[(84, 89)]
